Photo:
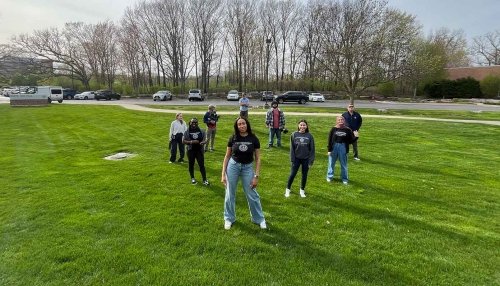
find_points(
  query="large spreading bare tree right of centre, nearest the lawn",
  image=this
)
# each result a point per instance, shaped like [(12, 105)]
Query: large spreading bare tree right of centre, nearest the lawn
[(358, 44)]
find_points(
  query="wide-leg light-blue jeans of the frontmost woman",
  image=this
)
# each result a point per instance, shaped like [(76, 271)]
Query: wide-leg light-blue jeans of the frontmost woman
[(234, 171)]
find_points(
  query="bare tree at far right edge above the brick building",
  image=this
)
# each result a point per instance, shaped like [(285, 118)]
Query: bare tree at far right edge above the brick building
[(486, 49)]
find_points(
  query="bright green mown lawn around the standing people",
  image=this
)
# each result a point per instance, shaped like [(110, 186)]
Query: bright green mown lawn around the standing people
[(422, 207)]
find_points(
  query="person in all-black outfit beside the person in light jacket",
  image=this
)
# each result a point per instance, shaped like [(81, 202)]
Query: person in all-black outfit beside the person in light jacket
[(195, 140)]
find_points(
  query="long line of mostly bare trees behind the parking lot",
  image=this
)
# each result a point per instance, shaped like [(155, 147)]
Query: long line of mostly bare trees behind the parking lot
[(256, 45)]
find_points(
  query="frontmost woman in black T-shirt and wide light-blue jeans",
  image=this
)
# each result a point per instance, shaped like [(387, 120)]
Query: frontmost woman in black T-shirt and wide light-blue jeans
[(243, 150)]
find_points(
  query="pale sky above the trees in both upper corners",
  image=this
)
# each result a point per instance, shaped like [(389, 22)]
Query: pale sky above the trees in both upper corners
[(474, 17)]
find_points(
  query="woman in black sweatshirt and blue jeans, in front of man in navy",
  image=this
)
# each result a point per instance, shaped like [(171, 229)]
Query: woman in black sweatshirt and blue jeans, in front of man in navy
[(338, 141)]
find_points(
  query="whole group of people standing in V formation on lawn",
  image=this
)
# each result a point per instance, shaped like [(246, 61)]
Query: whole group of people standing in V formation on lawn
[(243, 160)]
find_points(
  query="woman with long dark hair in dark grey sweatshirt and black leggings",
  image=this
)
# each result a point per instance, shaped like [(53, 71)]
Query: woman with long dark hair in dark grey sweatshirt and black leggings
[(302, 152)]
